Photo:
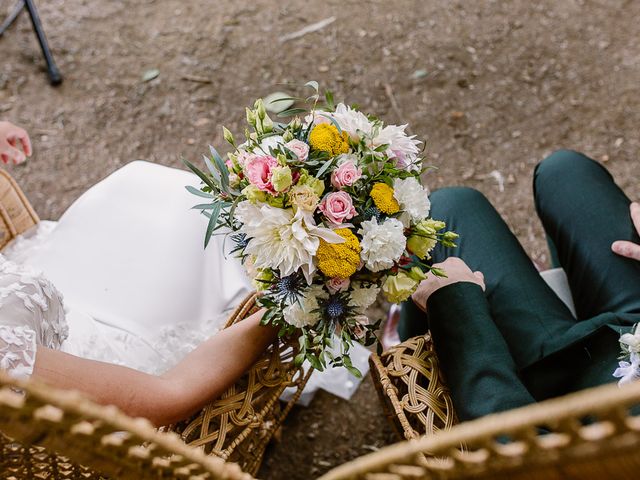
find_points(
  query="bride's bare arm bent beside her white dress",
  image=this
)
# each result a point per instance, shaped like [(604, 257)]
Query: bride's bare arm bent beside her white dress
[(202, 375)]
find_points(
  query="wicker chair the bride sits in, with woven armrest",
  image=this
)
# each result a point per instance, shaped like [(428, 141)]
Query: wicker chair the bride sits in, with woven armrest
[(45, 428)]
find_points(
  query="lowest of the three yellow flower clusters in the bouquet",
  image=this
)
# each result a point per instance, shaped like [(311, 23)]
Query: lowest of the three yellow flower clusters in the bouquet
[(339, 260)]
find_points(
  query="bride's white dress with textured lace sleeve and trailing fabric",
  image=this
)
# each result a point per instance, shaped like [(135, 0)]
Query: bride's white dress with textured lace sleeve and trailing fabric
[(139, 288)]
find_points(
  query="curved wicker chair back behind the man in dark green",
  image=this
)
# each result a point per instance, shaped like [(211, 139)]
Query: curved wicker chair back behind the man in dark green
[(593, 434)]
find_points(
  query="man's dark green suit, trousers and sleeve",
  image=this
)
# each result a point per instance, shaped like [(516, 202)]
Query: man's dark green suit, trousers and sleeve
[(517, 342)]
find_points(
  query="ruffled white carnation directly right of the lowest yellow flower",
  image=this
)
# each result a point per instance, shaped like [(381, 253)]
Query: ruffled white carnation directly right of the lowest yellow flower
[(382, 244)]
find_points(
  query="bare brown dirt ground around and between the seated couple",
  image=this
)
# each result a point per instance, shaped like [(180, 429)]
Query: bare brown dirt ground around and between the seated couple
[(492, 86)]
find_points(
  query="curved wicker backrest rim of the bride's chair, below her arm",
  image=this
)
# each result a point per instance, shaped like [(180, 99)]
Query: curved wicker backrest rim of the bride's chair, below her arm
[(102, 441)]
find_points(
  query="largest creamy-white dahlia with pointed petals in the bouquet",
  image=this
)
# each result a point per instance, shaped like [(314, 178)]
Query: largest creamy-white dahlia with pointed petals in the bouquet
[(280, 239)]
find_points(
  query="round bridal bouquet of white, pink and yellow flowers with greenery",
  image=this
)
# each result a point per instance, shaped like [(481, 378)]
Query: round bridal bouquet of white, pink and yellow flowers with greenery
[(326, 211)]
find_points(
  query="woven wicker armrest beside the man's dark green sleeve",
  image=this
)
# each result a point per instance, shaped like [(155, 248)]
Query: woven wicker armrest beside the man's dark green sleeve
[(411, 388)]
